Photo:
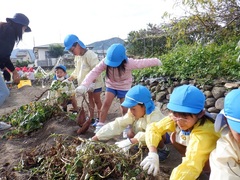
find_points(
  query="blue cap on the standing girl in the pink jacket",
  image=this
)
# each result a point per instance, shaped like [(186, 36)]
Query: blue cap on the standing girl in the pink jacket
[(116, 54)]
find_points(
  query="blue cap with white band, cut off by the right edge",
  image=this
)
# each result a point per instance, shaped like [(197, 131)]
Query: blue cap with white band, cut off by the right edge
[(232, 109)]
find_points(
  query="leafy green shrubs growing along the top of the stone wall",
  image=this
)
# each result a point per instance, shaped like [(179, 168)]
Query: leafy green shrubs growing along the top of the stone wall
[(203, 63)]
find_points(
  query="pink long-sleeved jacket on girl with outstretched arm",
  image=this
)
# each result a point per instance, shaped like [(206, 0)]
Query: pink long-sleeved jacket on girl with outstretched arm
[(123, 82)]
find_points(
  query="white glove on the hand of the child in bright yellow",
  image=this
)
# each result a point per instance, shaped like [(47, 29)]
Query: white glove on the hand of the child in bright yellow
[(151, 162)]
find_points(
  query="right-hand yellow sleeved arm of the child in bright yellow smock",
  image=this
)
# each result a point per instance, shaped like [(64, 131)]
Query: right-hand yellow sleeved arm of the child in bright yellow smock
[(202, 142)]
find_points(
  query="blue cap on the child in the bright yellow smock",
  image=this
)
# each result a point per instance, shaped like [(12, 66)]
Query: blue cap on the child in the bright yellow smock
[(186, 99)]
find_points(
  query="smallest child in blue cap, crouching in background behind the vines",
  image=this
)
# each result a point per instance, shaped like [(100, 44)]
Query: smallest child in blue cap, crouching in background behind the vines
[(67, 87)]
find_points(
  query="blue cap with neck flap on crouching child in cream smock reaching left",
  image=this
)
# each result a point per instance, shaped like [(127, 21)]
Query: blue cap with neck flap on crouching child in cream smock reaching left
[(139, 95)]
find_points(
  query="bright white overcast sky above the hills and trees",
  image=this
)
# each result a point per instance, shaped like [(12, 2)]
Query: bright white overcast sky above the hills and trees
[(90, 20)]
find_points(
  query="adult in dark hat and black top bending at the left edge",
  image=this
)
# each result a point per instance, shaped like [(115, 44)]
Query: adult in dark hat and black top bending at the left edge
[(10, 33)]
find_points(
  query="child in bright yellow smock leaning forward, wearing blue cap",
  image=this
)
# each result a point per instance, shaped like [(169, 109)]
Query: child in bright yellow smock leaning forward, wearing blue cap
[(193, 134)]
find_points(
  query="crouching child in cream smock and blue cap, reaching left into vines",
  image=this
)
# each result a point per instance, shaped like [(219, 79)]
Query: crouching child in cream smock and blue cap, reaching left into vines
[(141, 113)]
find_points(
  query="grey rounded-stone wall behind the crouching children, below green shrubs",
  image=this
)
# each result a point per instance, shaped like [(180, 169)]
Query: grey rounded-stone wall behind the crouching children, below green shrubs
[(215, 93)]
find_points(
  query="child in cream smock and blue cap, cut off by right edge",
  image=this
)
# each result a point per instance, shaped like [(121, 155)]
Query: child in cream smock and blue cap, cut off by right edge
[(225, 159)]
